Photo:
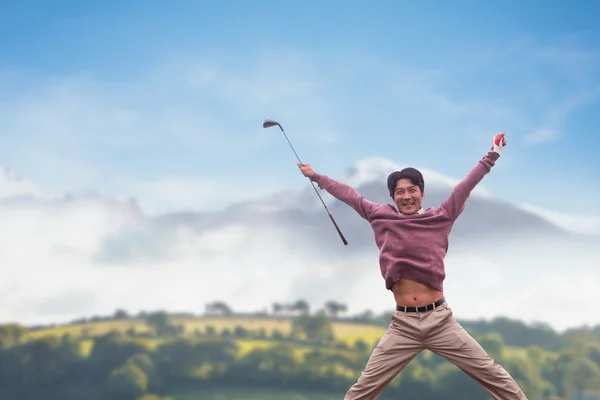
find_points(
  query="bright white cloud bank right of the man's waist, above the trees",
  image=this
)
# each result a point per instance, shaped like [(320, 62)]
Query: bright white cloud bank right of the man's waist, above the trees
[(515, 287)]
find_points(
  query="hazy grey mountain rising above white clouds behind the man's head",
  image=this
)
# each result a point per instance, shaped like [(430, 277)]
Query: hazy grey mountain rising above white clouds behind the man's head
[(304, 220)]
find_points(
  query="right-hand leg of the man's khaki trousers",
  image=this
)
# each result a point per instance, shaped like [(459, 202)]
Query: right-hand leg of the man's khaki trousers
[(450, 340)]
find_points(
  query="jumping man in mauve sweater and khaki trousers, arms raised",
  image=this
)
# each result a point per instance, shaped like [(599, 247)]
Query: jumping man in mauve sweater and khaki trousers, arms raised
[(413, 243)]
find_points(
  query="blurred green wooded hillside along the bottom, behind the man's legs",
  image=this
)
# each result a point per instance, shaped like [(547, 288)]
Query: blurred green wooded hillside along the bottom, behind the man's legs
[(167, 358)]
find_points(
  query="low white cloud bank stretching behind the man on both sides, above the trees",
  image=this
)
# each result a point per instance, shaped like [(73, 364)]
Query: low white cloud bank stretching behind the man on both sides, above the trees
[(51, 269)]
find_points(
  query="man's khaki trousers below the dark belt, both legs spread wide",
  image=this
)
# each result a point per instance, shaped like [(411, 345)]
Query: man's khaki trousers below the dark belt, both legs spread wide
[(437, 330)]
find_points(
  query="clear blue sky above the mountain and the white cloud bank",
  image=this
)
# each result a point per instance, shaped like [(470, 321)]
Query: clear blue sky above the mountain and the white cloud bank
[(164, 101)]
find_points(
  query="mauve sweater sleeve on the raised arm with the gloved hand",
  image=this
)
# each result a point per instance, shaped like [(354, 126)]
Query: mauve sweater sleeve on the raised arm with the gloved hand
[(455, 203)]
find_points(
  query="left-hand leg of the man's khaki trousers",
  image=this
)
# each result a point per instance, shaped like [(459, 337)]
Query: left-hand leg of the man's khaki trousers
[(398, 346)]
